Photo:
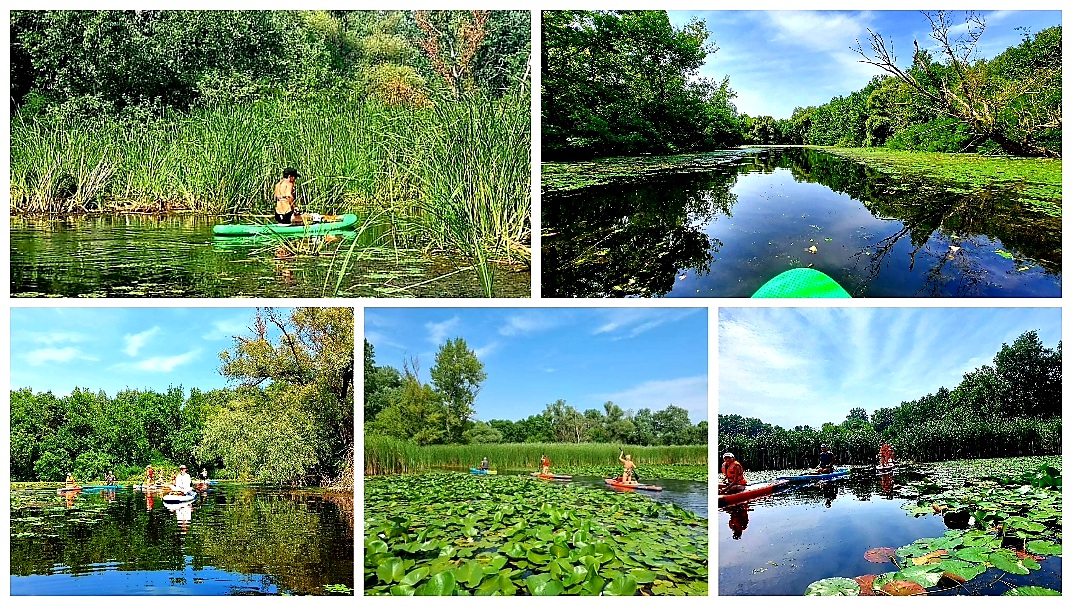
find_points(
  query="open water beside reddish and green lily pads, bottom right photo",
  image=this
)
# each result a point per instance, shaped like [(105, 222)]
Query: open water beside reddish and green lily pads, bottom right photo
[(781, 544)]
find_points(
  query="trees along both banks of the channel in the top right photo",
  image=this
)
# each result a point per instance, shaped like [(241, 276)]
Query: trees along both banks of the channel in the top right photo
[(621, 83)]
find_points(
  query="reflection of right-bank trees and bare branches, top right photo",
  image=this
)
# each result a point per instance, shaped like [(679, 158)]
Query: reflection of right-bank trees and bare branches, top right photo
[(927, 210)]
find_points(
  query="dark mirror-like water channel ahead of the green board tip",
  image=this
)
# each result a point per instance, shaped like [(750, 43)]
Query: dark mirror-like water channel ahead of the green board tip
[(723, 229)]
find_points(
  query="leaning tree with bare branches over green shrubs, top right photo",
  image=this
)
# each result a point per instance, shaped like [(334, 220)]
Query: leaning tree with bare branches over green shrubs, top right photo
[(1016, 110)]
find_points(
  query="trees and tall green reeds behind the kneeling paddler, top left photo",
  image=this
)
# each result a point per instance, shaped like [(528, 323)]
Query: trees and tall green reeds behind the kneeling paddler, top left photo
[(422, 119)]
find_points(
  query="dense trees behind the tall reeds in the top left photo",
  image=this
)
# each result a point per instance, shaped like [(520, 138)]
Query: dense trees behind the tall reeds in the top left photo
[(144, 64)]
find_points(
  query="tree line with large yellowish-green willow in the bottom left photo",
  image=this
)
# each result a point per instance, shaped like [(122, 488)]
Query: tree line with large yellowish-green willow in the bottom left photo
[(289, 418)]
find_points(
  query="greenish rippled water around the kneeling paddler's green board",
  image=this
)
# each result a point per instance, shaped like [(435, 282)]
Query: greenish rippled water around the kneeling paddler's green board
[(141, 256)]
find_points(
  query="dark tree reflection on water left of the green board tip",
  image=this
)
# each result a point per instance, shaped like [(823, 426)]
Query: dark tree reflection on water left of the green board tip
[(632, 241)]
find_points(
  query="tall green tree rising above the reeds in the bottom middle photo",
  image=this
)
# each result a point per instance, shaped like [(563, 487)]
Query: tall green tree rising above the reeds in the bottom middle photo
[(457, 377)]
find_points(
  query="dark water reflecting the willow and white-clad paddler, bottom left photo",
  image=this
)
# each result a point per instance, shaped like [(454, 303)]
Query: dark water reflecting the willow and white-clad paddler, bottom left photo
[(234, 540)]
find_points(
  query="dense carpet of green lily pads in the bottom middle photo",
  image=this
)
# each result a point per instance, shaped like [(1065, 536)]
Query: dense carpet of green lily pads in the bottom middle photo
[(452, 535)]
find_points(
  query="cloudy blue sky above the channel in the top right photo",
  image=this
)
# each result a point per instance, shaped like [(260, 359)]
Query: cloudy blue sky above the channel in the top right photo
[(778, 61)]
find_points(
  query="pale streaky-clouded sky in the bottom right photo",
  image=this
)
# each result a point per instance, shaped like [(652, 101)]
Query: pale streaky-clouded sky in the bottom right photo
[(811, 366)]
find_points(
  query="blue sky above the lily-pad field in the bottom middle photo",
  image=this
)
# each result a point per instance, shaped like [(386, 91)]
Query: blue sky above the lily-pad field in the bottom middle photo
[(635, 358)]
